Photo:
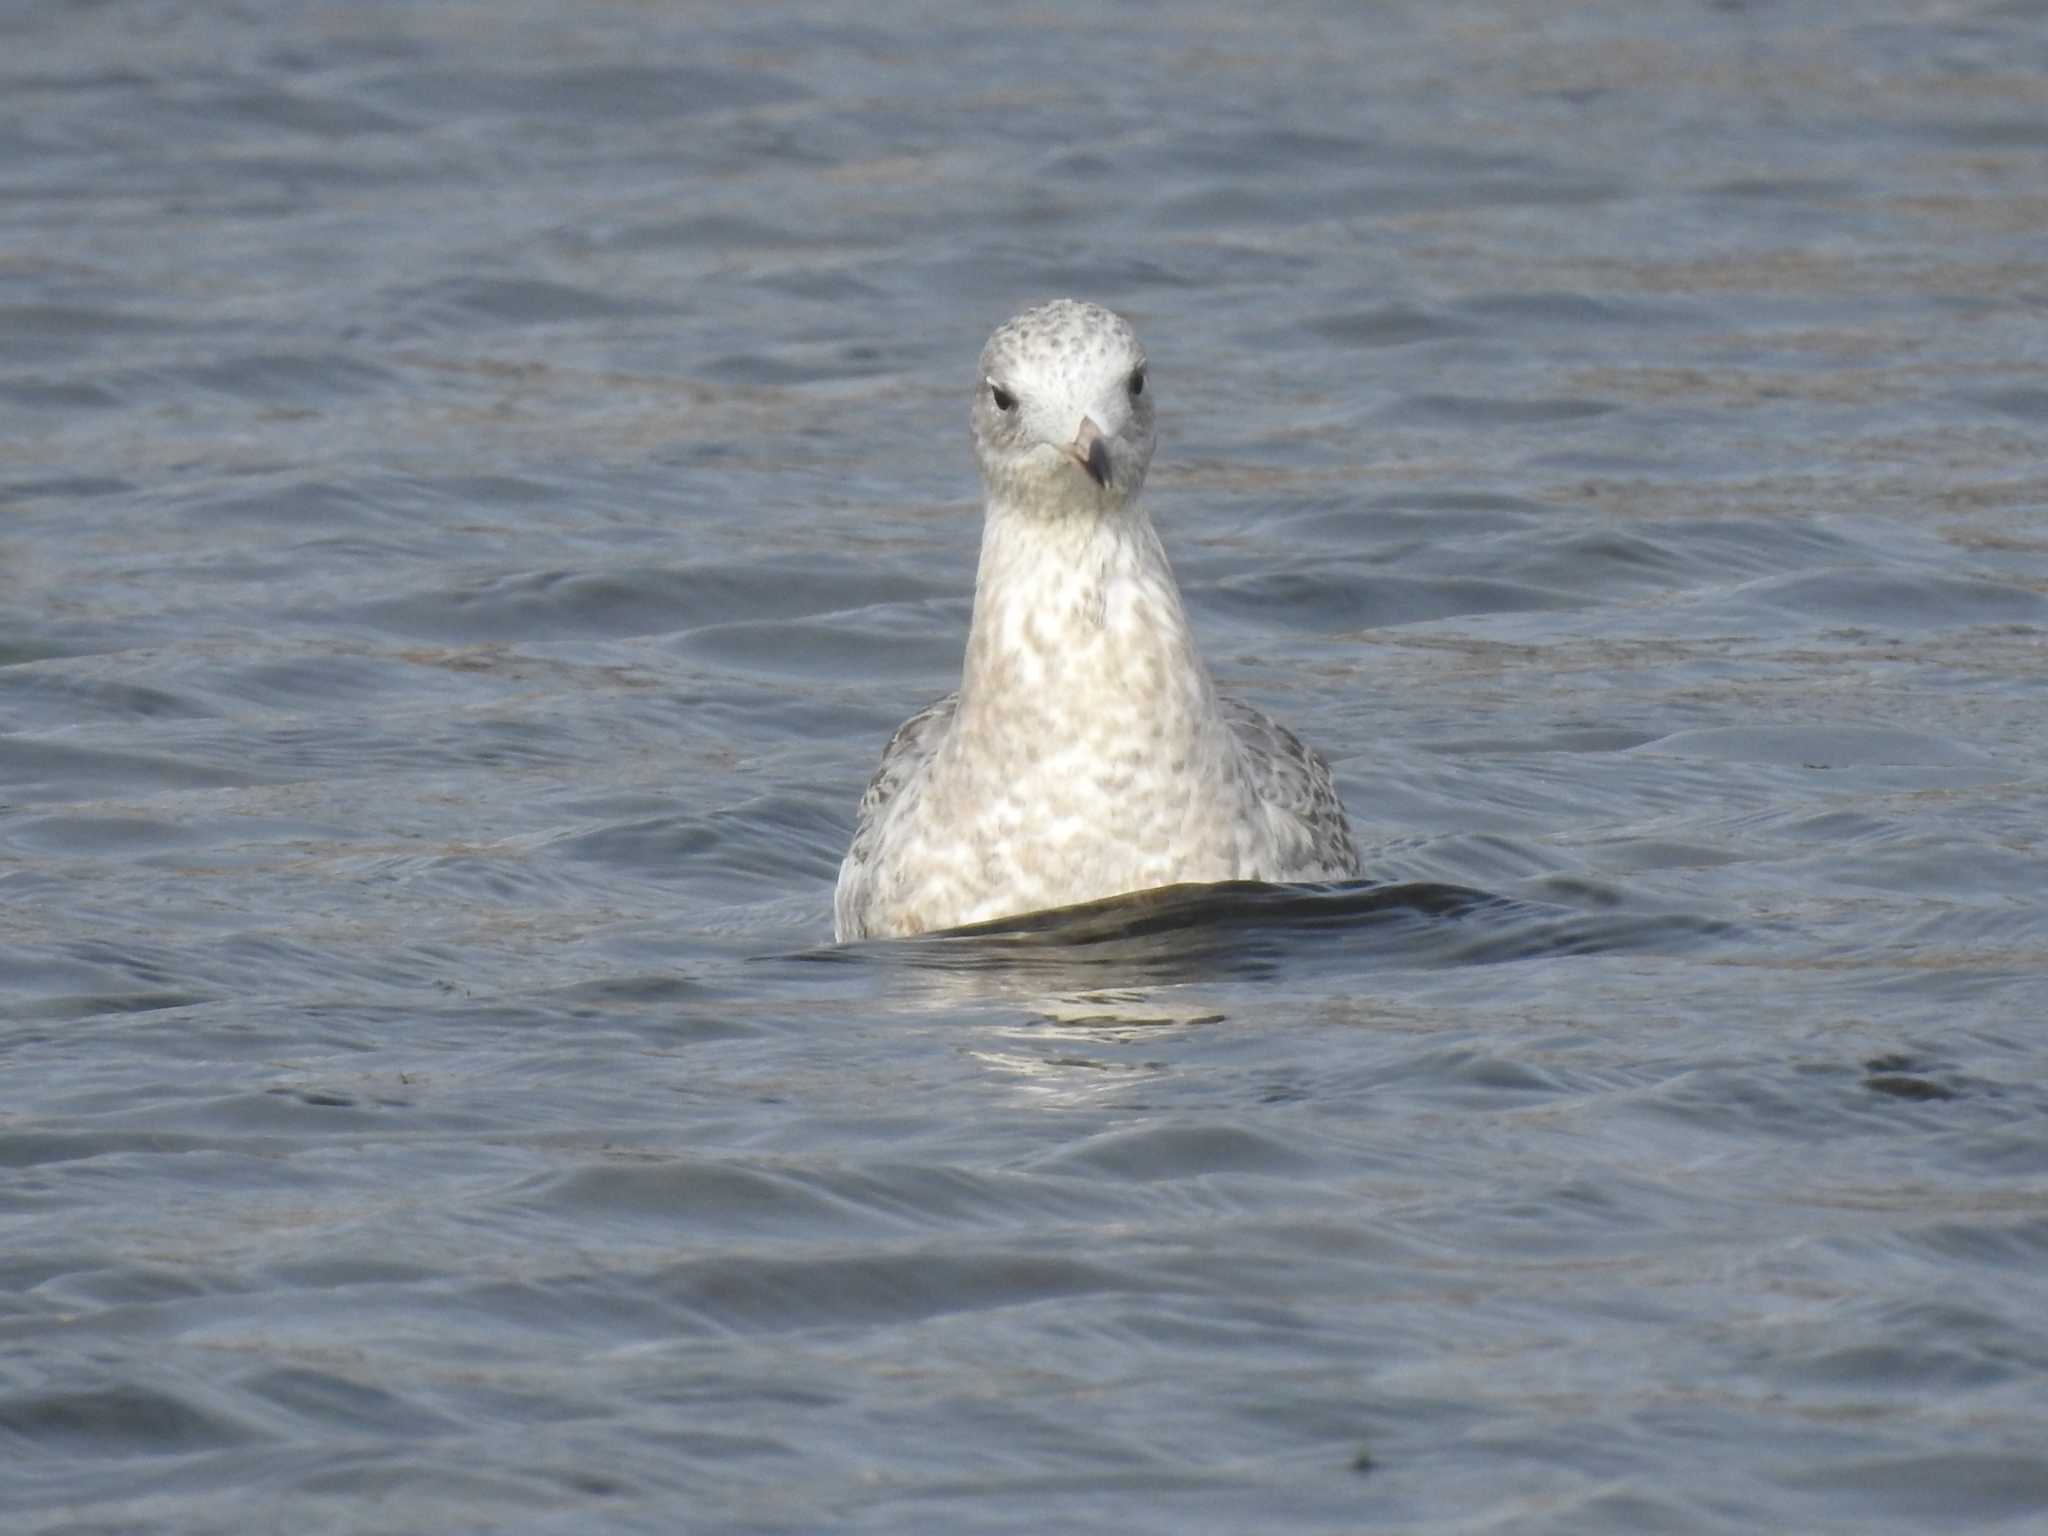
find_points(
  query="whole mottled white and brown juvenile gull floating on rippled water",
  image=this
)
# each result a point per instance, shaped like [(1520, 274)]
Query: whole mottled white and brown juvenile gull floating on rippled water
[(1086, 753)]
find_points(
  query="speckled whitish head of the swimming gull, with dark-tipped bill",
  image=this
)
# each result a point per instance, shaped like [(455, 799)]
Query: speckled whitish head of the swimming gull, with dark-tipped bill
[(1062, 415)]
